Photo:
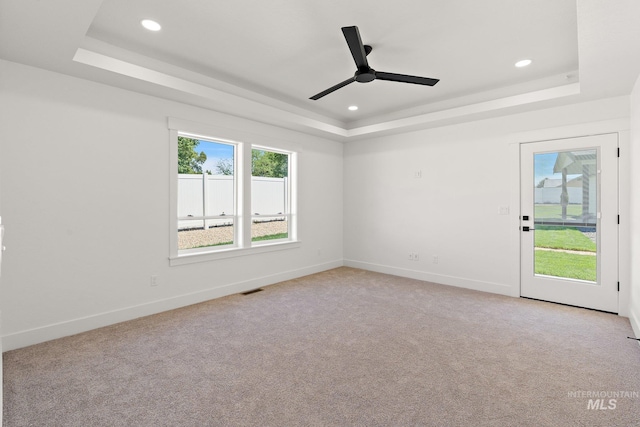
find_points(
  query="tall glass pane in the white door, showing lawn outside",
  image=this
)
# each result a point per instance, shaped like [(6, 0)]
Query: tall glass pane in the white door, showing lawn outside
[(565, 214)]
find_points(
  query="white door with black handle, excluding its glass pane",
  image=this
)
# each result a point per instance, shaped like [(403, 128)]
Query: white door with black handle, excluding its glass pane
[(603, 294)]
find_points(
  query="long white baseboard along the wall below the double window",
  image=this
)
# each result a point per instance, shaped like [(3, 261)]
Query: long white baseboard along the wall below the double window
[(75, 326)]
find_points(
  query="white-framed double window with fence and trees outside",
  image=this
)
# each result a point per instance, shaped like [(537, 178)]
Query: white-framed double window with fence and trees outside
[(228, 197)]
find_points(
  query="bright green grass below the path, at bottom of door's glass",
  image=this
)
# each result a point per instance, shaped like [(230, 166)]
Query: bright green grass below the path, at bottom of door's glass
[(562, 264)]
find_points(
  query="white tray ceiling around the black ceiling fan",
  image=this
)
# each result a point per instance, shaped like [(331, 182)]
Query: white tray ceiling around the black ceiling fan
[(264, 59)]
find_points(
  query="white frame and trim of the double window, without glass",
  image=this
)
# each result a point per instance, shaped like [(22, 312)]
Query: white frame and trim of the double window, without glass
[(243, 142)]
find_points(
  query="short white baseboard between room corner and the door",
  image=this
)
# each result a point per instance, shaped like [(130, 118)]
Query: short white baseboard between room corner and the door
[(477, 285)]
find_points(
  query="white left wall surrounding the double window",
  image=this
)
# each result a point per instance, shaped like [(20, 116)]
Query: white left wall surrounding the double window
[(89, 261)]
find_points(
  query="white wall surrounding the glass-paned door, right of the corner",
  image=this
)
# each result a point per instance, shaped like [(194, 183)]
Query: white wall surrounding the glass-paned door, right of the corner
[(468, 173)]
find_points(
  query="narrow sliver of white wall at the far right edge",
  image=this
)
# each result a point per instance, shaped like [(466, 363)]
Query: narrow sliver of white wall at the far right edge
[(634, 310)]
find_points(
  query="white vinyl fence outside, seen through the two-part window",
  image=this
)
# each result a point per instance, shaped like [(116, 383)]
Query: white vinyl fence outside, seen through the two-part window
[(213, 195)]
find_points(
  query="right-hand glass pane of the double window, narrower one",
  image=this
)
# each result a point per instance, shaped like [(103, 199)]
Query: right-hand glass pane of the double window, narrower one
[(269, 195)]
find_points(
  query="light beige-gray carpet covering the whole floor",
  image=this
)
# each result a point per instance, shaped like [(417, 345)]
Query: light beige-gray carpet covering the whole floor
[(341, 348)]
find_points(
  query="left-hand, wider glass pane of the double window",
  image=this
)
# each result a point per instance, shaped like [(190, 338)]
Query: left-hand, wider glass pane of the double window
[(206, 193)]
